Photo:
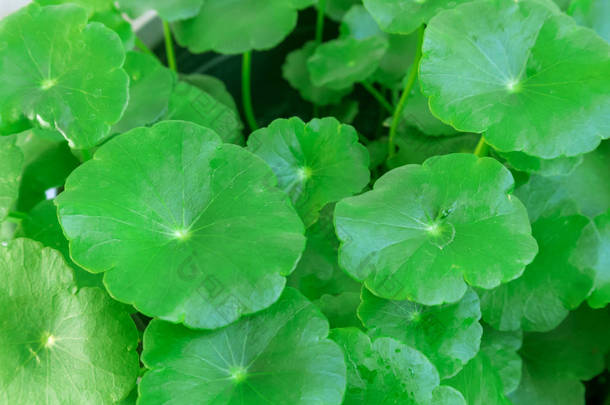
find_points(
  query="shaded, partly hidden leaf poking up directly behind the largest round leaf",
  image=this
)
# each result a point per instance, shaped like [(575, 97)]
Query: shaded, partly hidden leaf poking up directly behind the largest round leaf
[(189, 103)]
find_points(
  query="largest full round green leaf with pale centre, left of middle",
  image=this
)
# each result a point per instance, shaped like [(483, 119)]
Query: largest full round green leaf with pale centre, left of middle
[(168, 206)]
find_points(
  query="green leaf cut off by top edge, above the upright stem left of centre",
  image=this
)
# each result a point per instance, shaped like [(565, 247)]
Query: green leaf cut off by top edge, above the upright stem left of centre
[(237, 26)]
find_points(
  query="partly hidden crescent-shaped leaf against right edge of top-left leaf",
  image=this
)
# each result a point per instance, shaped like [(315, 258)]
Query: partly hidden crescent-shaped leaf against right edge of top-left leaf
[(150, 87)]
